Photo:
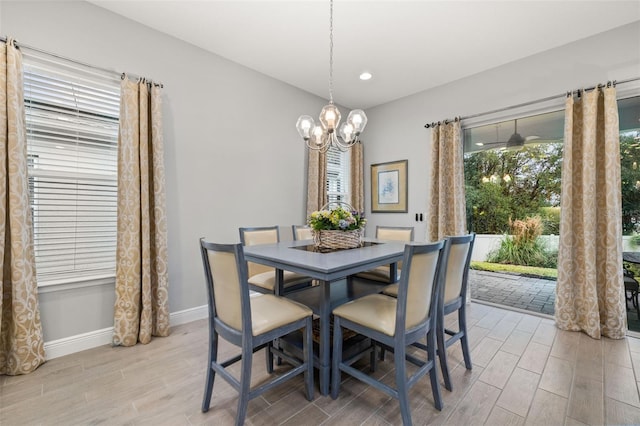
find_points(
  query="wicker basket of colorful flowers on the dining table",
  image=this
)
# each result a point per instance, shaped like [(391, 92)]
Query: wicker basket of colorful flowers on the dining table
[(339, 227)]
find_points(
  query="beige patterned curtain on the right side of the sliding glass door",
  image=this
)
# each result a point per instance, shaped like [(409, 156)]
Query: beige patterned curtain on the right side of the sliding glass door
[(589, 291)]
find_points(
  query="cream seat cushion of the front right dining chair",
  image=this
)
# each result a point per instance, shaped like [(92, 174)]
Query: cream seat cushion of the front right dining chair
[(375, 311)]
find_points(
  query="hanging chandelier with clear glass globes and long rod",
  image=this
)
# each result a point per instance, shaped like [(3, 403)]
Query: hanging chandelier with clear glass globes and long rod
[(326, 134)]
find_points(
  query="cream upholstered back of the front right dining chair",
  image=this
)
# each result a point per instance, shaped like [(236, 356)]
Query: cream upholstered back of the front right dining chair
[(418, 287)]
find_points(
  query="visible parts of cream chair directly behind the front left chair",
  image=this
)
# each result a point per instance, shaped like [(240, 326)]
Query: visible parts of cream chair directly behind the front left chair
[(263, 278)]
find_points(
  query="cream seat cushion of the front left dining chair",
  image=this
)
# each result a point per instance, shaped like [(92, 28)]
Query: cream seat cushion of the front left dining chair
[(269, 312)]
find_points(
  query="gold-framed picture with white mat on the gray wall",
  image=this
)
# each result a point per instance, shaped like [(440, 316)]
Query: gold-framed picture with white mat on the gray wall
[(389, 187)]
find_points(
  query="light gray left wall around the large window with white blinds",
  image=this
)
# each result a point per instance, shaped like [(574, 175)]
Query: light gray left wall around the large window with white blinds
[(233, 155)]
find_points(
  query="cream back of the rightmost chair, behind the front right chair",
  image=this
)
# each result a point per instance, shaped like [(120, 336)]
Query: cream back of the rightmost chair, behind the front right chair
[(457, 271)]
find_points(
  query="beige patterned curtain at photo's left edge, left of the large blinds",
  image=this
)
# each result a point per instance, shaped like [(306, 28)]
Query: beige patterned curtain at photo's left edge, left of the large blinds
[(21, 343)]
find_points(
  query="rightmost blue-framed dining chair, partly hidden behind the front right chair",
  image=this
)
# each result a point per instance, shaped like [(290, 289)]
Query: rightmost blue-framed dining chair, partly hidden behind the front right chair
[(453, 298)]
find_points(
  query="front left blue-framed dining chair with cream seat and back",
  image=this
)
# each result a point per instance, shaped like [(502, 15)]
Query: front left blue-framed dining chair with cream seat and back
[(251, 323)]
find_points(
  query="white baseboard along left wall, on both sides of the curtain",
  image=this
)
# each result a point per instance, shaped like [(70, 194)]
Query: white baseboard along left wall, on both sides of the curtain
[(92, 339)]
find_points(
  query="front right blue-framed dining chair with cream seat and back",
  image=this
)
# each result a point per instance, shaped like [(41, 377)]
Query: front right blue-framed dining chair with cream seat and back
[(397, 323)]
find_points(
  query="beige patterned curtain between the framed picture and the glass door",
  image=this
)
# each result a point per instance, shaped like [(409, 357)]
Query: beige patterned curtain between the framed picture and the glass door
[(447, 211)]
